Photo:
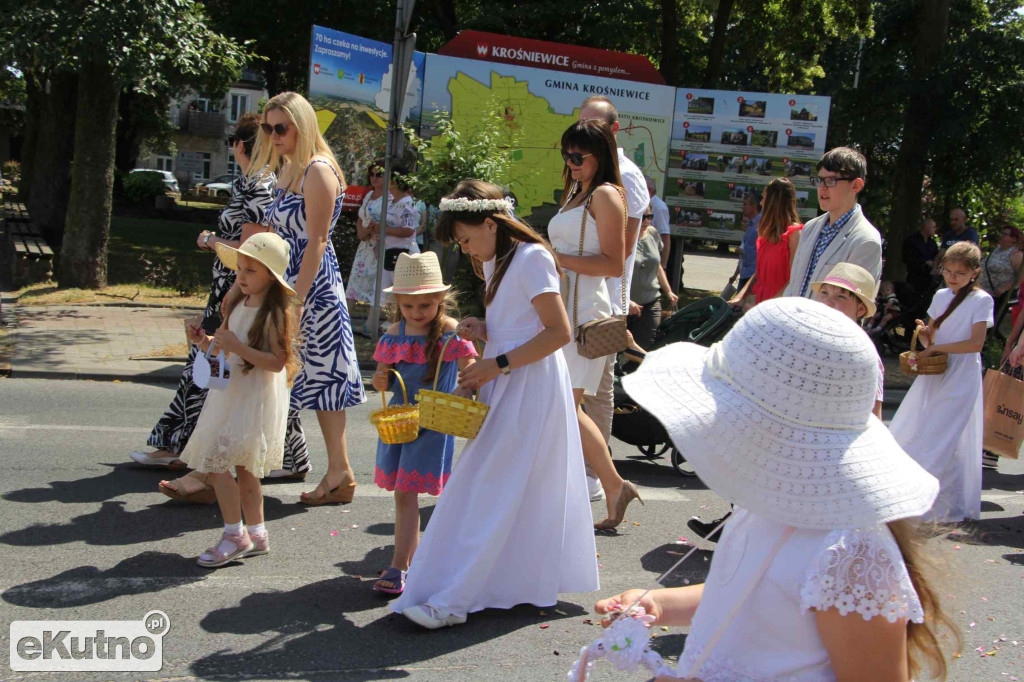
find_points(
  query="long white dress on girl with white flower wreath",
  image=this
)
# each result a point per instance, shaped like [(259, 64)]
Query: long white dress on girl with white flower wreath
[(515, 524)]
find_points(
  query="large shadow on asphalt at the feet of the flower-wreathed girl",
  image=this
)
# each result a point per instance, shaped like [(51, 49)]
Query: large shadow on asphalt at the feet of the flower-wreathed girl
[(315, 640)]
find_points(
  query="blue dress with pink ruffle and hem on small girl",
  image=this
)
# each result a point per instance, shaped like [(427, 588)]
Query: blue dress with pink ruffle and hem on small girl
[(425, 464)]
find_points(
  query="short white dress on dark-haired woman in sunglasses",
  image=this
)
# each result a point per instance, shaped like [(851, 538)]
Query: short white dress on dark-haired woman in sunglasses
[(564, 231)]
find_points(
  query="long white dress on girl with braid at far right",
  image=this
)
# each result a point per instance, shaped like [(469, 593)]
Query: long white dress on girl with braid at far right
[(941, 422)]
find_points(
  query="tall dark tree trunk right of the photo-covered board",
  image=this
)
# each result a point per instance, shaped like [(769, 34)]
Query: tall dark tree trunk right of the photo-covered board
[(919, 122)]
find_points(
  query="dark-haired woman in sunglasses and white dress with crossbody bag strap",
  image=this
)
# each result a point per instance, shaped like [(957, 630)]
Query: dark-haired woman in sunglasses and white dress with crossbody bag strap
[(589, 236)]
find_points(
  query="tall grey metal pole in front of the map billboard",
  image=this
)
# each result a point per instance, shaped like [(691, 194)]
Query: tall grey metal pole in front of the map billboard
[(402, 56)]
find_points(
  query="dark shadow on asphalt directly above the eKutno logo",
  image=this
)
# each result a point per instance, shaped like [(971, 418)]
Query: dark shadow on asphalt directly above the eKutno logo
[(143, 574)]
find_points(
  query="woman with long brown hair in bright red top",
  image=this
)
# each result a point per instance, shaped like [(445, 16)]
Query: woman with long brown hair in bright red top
[(779, 237)]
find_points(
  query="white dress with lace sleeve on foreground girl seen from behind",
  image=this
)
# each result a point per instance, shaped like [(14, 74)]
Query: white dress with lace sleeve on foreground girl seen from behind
[(774, 636)]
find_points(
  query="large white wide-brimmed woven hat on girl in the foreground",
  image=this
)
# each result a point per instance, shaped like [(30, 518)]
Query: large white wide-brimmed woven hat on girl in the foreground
[(778, 419)]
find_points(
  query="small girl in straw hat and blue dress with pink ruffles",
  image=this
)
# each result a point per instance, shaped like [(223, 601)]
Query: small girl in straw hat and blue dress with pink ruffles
[(413, 346)]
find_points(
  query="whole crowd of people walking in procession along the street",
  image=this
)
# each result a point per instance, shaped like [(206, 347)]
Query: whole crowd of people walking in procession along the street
[(783, 417)]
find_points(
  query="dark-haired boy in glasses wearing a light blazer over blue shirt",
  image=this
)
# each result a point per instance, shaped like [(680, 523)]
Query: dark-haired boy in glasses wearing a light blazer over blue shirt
[(843, 235)]
